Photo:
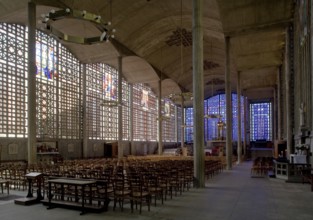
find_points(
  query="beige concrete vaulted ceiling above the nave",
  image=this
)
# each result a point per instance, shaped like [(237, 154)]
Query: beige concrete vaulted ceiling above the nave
[(154, 37)]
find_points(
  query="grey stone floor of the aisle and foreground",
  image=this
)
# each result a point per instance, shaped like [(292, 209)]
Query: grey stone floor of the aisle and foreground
[(230, 195)]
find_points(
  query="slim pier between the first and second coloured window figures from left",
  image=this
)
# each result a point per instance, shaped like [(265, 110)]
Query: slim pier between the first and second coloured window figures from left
[(84, 105)]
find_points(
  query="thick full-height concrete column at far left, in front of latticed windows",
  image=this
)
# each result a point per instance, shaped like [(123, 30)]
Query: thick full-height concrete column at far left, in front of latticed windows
[(31, 142)]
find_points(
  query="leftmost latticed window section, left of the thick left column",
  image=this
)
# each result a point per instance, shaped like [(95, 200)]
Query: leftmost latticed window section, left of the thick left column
[(13, 80)]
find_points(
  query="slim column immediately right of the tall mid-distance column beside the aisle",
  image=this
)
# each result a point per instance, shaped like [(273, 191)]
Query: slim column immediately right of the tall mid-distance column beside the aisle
[(239, 147)]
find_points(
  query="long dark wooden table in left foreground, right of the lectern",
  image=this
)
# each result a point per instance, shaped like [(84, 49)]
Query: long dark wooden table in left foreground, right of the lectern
[(70, 182)]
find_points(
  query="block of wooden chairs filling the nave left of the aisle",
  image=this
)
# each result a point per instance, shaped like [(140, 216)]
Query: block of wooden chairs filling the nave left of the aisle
[(143, 179)]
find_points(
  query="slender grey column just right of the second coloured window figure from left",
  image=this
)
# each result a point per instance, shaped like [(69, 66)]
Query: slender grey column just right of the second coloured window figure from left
[(119, 110)]
